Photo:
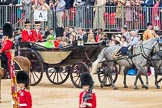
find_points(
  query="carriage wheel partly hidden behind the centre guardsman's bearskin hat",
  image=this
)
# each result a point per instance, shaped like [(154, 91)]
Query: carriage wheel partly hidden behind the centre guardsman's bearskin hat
[(77, 69)]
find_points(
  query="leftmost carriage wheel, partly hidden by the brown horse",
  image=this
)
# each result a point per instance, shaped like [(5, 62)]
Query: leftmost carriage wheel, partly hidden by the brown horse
[(36, 71)]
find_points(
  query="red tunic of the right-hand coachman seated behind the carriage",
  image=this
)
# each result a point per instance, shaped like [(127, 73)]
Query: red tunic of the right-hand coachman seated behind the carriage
[(36, 36)]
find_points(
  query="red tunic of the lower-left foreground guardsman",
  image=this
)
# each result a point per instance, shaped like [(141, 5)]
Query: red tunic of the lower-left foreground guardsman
[(24, 99)]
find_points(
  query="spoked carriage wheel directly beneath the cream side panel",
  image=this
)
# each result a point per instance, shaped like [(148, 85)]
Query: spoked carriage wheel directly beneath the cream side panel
[(58, 75)]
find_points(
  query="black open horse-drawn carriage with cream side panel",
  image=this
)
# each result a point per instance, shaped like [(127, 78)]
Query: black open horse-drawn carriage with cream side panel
[(60, 63)]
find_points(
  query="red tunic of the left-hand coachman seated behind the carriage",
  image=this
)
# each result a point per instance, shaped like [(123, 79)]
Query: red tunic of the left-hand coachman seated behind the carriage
[(26, 36)]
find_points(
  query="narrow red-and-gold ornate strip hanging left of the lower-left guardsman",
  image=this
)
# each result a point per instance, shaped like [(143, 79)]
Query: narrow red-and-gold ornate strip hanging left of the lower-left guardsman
[(13, 85)]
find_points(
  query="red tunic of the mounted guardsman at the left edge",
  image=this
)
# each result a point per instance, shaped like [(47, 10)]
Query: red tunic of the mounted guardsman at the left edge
[(6, 48)]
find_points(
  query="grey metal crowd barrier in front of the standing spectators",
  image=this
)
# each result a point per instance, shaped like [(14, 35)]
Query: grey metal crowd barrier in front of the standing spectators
[(88, 17)]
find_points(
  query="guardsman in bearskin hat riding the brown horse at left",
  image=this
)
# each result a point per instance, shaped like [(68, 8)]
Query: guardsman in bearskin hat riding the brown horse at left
[(6, 49)]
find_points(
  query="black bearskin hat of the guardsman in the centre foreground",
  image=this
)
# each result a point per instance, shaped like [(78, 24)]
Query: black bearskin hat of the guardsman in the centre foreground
[(86, 79)]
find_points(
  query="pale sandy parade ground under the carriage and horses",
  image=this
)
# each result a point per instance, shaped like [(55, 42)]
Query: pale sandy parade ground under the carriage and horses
[(47, 95)]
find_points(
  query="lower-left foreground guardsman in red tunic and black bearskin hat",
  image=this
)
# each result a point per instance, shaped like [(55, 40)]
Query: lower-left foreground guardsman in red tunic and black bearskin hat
[(24, 96)]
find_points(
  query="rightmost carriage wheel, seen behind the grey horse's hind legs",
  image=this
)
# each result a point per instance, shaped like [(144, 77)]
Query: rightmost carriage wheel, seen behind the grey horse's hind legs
[(103, 75)]
